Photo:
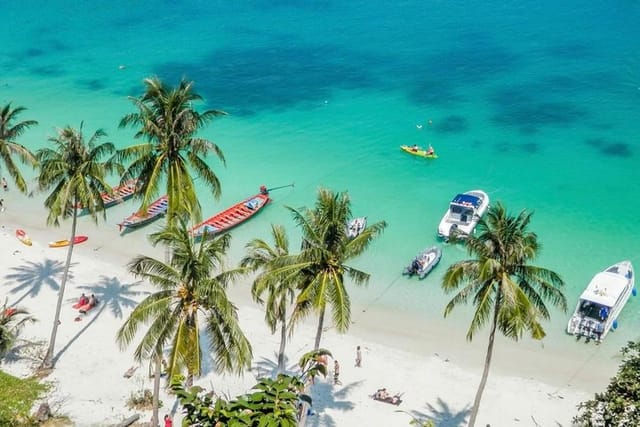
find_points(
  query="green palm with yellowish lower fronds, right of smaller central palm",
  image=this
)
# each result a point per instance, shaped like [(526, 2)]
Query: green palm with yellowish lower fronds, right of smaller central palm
[(322, 263)]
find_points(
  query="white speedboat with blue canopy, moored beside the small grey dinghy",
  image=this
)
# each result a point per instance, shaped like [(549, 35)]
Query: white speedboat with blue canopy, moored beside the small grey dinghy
[(465, 210)]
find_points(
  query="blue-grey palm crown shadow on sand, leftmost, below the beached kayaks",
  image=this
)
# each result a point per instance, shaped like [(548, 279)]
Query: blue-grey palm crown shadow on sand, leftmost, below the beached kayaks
[(32, 276)]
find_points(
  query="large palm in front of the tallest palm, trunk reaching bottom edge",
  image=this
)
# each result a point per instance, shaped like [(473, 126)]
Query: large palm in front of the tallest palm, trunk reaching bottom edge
[(191, 285)]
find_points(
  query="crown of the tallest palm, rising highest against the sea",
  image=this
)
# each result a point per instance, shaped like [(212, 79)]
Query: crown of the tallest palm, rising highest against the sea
[(168, 125)]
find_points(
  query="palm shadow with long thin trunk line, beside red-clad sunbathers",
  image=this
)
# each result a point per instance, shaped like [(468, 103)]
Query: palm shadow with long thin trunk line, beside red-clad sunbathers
[(111, 295)]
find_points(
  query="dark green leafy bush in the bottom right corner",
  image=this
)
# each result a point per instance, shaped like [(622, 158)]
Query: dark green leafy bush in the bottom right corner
[(619, 405)]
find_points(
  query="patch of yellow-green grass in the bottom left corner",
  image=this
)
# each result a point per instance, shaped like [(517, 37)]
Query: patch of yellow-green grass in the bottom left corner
[(17, 397)]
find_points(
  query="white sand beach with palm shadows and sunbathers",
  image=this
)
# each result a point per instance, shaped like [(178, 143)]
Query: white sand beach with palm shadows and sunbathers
[(436, 373)]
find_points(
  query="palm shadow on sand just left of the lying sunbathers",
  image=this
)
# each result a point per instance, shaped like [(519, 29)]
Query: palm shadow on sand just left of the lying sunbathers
[(332, 400)]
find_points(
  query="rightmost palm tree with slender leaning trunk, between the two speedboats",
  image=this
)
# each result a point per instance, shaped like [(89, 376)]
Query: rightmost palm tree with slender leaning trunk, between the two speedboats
[(506, 290)]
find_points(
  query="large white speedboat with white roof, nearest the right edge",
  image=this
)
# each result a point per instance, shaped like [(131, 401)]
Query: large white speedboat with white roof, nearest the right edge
[(602, 301)]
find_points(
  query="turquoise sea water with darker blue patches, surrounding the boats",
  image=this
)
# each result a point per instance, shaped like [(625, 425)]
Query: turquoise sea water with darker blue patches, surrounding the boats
[(537, 103)]
